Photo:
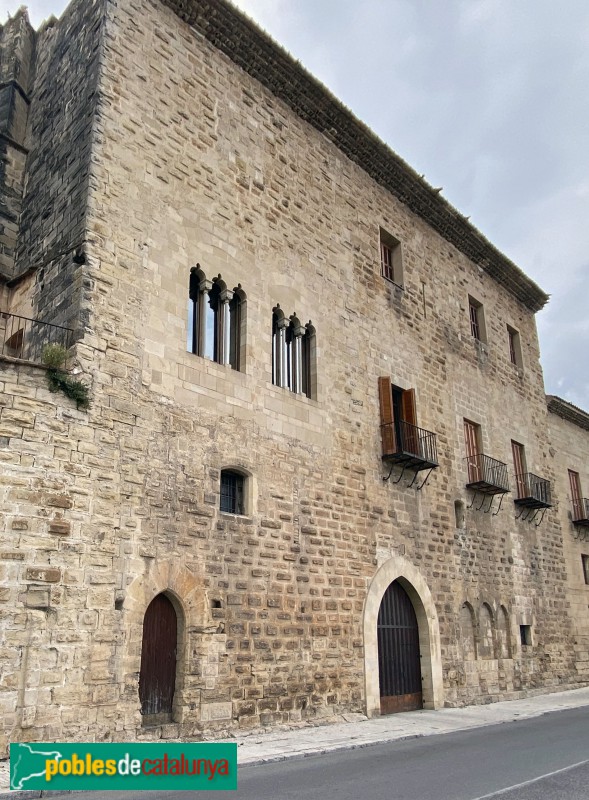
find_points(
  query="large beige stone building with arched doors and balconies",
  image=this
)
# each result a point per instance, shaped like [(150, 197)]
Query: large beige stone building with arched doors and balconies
[(306, 482)]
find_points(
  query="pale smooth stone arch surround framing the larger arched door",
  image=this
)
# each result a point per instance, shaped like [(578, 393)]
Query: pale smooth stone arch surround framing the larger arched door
[(399, 569)]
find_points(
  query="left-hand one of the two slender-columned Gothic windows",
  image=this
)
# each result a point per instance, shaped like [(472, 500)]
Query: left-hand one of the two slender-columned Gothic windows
[(216, 320)]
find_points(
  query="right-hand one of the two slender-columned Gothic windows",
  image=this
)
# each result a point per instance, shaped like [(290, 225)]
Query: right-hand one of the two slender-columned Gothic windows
[(293, 353)]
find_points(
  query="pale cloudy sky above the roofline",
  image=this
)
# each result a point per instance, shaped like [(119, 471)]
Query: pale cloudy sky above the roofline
[(488, 98)]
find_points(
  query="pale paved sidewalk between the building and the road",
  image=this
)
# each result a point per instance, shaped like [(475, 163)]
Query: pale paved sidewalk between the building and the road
[(277, 745)]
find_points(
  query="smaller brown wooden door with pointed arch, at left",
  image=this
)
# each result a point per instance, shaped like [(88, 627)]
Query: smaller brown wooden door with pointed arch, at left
[(157, 678)]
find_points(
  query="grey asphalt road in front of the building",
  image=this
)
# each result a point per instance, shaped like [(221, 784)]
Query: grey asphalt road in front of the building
[(546, 758)]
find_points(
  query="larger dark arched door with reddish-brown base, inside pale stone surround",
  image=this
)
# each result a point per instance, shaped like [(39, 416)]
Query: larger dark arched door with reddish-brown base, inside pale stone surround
[(399, 664)]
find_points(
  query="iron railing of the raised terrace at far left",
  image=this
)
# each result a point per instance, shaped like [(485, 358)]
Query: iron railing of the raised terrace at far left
[(23, 338)]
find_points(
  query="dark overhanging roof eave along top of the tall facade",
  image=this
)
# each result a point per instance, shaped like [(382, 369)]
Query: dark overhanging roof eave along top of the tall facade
[(256, 53)]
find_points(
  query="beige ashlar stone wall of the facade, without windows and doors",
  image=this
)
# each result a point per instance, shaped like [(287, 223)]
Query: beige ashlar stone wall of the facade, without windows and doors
[(194, 162)]
